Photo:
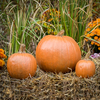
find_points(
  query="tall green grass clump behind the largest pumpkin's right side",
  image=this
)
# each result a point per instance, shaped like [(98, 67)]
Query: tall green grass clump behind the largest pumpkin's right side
[(74, 15)]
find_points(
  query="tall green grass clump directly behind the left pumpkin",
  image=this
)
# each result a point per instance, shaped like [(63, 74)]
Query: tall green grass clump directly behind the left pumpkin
[(21, 24)]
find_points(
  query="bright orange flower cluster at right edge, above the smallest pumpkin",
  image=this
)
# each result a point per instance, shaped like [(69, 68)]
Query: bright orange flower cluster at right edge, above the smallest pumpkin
[(93, 32)]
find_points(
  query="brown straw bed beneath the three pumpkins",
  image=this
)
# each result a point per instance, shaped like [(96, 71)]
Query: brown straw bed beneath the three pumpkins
[(50, 86)]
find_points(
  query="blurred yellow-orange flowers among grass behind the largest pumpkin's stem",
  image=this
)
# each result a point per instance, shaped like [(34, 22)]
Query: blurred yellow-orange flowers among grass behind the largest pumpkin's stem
[(51, 17)]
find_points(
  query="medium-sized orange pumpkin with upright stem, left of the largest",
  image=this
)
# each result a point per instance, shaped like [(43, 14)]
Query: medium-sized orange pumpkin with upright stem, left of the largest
[(21, 65)]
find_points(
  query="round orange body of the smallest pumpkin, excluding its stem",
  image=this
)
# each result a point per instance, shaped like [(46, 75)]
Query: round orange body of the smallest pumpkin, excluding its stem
[(85, 68)]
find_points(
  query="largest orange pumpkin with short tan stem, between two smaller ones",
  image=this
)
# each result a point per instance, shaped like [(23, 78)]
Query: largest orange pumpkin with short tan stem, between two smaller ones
[(57, 53)]
